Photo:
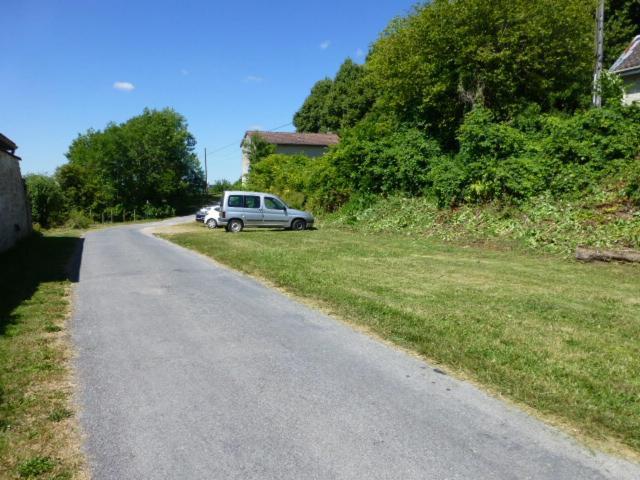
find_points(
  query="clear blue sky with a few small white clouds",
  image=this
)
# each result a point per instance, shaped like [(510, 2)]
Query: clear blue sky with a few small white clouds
[(226, 66)]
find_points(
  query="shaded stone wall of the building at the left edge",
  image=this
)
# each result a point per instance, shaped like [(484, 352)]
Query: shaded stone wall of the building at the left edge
[(15, 215)]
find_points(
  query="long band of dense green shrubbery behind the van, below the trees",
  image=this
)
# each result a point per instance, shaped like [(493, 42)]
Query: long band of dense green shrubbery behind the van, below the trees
[(564, 156)]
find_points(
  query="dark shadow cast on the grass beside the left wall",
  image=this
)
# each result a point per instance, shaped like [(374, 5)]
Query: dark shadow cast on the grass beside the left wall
[(36, 260)]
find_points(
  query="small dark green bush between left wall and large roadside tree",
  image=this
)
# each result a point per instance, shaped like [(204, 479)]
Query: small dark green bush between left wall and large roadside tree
[(46, 198)]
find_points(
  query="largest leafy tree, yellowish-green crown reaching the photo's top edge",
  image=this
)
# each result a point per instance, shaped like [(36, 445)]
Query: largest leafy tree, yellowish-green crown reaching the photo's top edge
[(434, 65)]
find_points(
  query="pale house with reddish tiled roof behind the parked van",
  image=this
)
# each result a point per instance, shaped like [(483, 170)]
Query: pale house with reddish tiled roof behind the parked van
[(288, 143)]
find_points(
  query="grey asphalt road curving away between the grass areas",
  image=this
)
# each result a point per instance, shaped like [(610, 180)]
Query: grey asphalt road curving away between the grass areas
[(190, 371)]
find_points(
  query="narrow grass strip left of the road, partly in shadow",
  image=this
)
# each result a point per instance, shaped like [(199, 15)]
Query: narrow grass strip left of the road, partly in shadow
[(38, 433)]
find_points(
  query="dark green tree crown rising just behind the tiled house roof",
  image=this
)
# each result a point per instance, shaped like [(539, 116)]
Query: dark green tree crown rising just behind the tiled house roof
[(336, 104)]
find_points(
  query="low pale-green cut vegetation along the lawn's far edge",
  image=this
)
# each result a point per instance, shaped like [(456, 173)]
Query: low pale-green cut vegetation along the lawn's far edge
[(541, 223)]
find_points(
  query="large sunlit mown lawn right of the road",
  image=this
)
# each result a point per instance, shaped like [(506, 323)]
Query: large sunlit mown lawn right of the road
[(560, 337)]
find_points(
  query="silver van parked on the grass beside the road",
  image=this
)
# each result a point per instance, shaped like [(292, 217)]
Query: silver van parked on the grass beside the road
[(258, 209)]
